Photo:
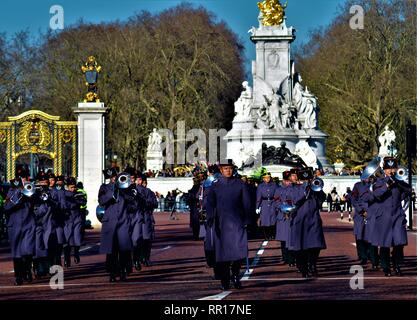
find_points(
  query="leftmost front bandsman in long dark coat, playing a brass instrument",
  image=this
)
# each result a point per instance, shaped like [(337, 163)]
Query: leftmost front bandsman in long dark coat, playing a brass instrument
[(21, 228)]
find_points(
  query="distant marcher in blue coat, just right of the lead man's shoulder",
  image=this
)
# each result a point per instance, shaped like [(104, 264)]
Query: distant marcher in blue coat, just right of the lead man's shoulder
[(265, 205)]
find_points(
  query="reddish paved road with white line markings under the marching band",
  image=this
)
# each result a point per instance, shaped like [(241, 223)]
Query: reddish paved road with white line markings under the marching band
[(178, 271)]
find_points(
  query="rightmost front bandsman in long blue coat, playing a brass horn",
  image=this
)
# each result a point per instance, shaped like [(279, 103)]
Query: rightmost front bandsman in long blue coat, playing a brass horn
[(390, 219)]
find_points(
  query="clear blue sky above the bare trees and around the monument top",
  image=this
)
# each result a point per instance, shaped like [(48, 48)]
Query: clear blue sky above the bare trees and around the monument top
[(240, 15)]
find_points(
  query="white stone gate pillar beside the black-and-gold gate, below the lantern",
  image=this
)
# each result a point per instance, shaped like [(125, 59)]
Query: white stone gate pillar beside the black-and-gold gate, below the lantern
[(91, 152)]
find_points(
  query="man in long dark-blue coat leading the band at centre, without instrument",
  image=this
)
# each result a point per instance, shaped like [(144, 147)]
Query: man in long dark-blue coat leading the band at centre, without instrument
[(228, 211)]
